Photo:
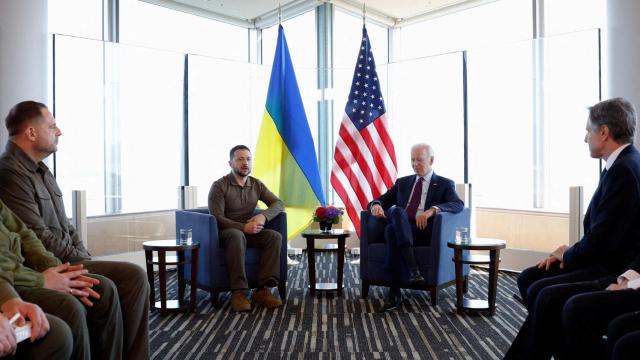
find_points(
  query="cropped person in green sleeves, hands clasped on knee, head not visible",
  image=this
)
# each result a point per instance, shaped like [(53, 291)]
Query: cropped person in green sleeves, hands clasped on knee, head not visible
[(65, 291)]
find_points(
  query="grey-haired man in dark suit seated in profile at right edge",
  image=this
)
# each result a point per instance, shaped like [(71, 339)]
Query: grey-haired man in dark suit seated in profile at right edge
[(611, 236)]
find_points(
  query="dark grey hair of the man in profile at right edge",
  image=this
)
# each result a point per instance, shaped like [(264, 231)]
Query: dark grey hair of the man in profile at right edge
[(618, 115)]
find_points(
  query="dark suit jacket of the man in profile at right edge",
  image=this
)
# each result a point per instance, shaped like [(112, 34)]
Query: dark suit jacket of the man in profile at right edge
[(612, 222)]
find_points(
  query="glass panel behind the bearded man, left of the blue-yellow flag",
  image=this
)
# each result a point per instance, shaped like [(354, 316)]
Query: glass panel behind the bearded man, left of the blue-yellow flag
[(226, 105)]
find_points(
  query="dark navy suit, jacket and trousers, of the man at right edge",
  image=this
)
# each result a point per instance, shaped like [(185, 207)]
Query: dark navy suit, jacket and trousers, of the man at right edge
[(608, 248)]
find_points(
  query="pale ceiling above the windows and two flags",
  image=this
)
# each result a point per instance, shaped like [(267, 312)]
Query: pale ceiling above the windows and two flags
[(264, 13)]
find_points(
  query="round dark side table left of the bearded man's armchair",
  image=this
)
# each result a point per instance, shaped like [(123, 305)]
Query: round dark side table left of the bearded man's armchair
[(162, 246)]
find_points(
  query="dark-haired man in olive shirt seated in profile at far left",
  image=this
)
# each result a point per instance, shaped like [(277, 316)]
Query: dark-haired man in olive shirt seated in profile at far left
[(30, 190)]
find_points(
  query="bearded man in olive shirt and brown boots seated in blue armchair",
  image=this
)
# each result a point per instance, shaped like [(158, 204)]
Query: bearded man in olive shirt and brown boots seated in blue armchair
[(233, 200)]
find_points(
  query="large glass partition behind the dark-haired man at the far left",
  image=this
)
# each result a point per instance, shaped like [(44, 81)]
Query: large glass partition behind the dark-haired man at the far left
[(120, 109)]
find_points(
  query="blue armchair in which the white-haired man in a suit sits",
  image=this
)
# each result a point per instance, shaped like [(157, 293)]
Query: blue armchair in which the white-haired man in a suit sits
[(435, 261)]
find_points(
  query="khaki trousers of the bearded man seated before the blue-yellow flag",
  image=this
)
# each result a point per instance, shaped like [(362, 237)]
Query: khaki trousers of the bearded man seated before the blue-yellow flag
[(235, 245)]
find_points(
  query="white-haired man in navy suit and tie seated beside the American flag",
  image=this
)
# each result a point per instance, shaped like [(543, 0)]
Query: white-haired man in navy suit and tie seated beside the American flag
[(408, 207)]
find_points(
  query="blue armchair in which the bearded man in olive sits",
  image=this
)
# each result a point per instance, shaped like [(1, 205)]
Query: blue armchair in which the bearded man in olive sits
[(212, 268)]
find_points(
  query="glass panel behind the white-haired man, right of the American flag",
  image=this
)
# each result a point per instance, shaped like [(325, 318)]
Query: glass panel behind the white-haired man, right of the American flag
[(426, 105)]
